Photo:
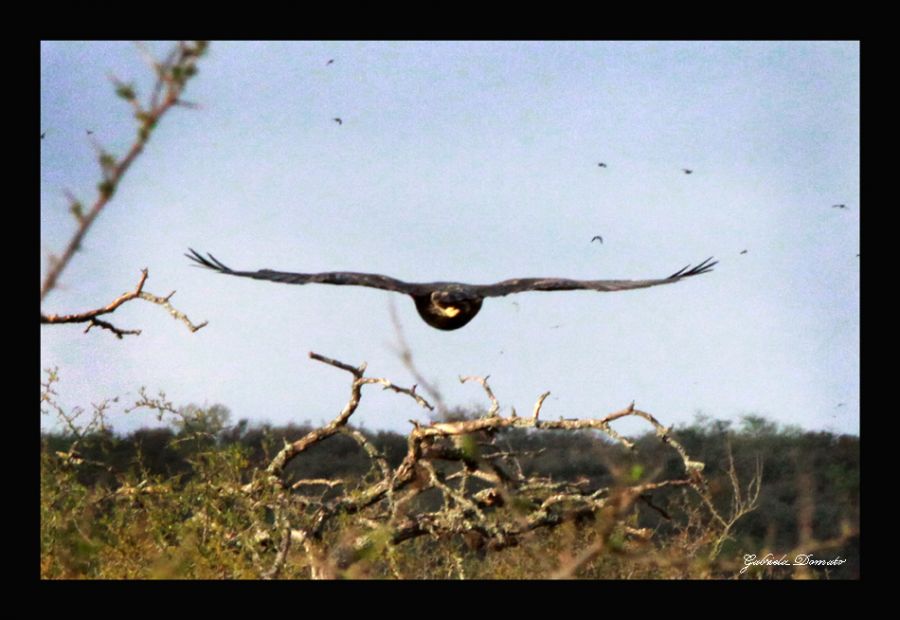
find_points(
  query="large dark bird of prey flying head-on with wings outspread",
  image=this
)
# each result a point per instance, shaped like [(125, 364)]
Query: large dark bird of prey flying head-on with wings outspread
[(448, 305)]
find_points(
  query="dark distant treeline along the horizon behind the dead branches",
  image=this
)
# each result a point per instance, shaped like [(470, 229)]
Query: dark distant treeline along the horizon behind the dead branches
[(830, 462)]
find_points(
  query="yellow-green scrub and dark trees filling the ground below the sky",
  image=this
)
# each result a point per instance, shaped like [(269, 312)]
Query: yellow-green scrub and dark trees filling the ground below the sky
[(192, 501)]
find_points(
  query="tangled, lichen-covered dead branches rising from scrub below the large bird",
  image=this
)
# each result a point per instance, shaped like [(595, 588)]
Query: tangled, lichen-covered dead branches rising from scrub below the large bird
[(446, 457)]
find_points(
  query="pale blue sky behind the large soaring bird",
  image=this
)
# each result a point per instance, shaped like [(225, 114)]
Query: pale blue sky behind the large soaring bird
[(474, 162)]
